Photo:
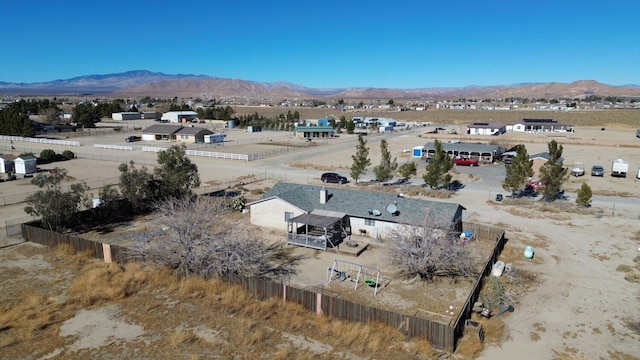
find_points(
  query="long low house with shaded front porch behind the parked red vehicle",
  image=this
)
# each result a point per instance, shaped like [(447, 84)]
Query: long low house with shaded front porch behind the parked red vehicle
[(481, 152)]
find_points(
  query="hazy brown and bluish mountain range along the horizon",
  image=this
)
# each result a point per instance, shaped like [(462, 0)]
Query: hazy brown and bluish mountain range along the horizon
[(139, 83)]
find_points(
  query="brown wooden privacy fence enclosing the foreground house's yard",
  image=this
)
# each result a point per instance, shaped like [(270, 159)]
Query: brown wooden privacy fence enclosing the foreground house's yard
[(441, 336)]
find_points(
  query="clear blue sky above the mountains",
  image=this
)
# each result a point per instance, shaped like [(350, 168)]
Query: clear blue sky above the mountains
[(323, 44)]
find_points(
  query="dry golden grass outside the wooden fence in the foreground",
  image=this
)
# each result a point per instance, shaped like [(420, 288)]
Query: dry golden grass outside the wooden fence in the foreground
[(173, 308)]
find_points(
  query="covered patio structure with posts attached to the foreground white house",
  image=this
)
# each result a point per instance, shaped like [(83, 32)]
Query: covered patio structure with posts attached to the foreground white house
[(318, 229)]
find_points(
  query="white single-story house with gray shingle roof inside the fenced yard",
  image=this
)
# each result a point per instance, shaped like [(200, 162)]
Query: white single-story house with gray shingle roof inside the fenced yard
[(330, 214)]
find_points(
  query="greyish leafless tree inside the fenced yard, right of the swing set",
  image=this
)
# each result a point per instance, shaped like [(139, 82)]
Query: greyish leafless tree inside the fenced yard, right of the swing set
[(430, 251)]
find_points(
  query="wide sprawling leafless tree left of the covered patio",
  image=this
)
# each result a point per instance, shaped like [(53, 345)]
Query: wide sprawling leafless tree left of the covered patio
[(198, 236)]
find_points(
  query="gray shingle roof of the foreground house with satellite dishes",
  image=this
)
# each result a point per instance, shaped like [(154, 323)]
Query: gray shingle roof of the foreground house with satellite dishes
[(357, 203)]
